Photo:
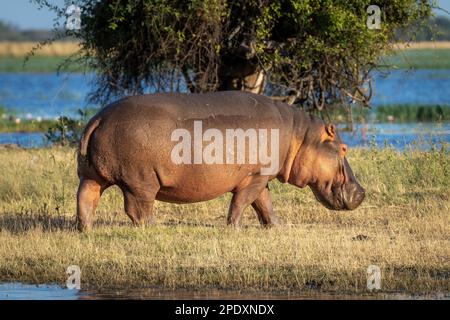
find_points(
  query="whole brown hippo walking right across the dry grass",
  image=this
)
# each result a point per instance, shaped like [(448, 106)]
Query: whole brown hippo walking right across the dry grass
[(171, 147)]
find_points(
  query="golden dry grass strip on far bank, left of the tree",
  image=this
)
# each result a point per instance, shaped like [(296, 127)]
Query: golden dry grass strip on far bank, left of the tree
[(20, 49)]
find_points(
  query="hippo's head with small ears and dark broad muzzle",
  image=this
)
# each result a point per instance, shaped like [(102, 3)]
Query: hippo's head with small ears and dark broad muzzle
[(320, 163)]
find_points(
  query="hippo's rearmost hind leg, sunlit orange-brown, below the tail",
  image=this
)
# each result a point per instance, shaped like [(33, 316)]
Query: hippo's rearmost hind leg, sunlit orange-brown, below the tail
[(89, 192)]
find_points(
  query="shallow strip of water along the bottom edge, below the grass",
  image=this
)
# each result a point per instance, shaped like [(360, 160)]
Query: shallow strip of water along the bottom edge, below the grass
[(19, 291)]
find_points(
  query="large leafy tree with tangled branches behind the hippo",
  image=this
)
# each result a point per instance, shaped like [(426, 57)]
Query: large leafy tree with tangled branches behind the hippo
[(311, 52)]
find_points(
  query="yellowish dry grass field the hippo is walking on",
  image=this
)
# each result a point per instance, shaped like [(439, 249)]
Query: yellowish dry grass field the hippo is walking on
[(403, 227)]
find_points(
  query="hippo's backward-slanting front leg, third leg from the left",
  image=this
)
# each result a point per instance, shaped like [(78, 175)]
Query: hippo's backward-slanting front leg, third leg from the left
[(243, 197)]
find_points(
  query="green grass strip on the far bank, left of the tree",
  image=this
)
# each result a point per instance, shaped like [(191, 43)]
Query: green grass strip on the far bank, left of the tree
[(35, 64)]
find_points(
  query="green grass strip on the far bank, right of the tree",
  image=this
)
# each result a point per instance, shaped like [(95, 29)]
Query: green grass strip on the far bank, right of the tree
[(418, 59)]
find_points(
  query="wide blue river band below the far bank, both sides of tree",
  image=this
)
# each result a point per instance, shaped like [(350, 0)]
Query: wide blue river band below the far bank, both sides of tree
[(49, 95)]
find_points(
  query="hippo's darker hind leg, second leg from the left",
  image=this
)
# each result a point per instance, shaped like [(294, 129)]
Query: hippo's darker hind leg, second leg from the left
[(139, 200)]
